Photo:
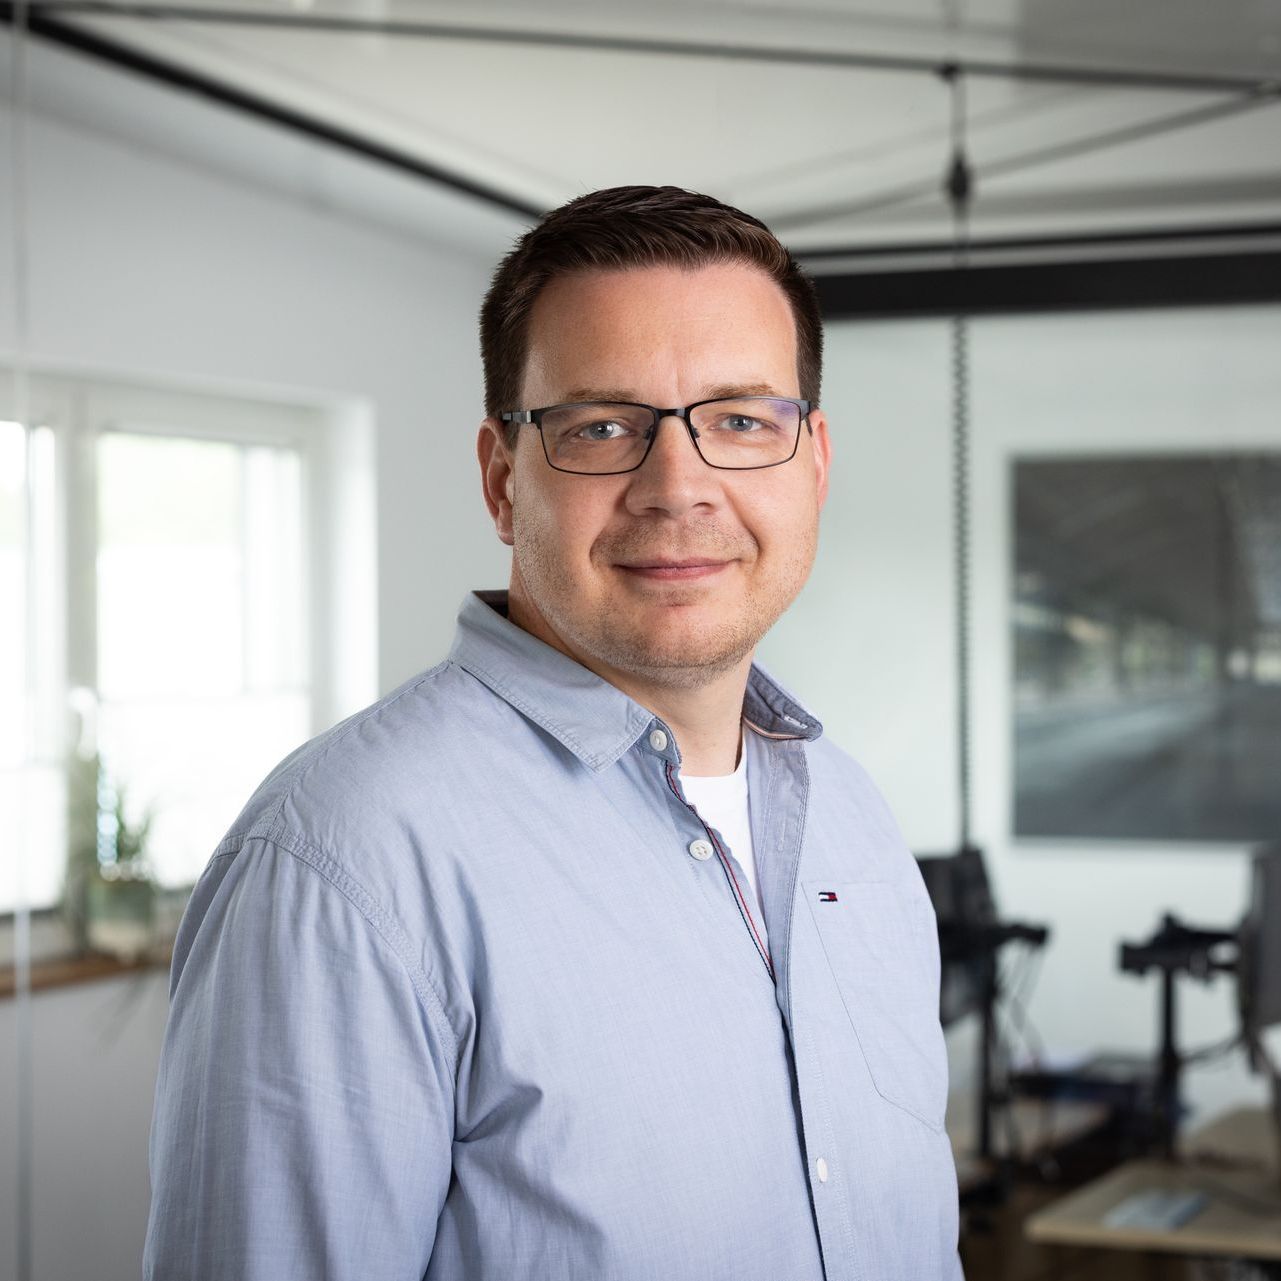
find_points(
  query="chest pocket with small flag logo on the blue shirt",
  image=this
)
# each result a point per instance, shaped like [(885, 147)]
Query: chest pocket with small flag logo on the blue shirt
[(882, 943)]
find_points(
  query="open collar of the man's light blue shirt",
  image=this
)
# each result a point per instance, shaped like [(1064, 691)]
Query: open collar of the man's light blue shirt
[(592, 718)]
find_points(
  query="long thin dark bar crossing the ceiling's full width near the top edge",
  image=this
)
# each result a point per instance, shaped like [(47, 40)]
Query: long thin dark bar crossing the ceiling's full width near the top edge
[(1119, 78)]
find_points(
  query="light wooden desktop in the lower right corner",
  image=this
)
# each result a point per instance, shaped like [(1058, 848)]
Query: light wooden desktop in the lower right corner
[(1234, 1161)]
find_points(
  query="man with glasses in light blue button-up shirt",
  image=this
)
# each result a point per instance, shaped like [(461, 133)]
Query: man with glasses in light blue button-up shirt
[(582, 955)]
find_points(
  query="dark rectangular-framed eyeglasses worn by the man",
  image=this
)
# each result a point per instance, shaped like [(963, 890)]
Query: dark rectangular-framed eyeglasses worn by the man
[(738, 435)]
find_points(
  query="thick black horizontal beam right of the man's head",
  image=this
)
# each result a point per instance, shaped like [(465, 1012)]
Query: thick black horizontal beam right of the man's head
[(1206, 280)]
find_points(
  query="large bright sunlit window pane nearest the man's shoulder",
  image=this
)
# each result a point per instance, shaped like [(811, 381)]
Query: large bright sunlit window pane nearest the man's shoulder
[(202, 657)]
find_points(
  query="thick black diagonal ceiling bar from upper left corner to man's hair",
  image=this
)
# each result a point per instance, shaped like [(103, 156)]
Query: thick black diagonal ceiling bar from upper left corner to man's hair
[(40, 22)]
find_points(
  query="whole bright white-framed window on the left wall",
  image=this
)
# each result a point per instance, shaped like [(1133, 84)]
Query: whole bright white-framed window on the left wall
[(163, 569)]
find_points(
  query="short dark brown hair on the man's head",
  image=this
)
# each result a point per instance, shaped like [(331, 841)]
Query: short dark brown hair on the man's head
[(630, 227)]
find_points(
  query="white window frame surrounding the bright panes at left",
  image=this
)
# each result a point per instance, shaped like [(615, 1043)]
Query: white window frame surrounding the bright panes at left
[(79, 411)]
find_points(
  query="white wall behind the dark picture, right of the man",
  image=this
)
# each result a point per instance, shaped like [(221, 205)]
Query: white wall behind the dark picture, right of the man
[(872, 637)]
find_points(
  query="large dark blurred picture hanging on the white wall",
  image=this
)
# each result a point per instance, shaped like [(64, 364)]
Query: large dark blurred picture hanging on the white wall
[(1147, 648)]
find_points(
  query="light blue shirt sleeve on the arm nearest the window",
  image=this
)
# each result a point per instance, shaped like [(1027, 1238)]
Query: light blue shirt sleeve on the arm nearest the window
[(304, 1109)]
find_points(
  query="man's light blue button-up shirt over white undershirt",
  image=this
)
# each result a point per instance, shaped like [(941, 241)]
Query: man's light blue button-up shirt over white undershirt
[(471, 992)]
